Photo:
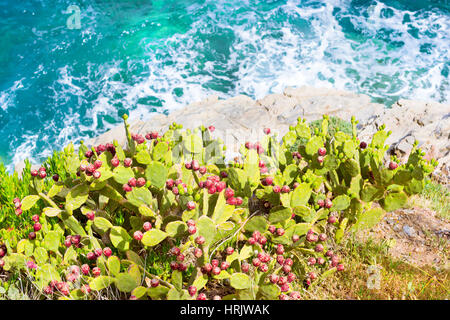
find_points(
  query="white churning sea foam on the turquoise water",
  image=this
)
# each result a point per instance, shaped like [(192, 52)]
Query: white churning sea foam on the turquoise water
[(318, 52)]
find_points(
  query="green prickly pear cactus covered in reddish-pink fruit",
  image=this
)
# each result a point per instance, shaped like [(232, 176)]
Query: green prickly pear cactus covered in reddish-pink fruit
[(265, 226)]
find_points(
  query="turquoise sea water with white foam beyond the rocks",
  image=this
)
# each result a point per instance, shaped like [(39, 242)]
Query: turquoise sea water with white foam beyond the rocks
[(141, 56)]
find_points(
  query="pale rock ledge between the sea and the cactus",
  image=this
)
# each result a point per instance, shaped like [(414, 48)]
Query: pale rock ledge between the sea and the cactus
[(240, 118)]
